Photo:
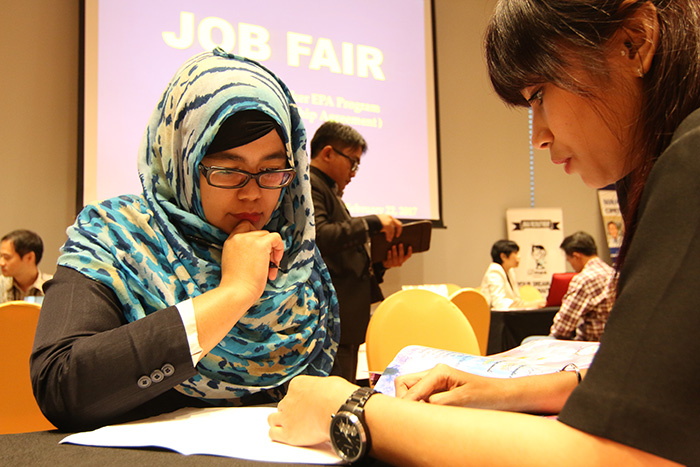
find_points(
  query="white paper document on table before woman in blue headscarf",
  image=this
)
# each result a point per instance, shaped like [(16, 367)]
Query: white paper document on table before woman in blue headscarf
[(240, 432)]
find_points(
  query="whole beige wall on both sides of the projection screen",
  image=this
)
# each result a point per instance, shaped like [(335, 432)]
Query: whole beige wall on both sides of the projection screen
[(485, 152)]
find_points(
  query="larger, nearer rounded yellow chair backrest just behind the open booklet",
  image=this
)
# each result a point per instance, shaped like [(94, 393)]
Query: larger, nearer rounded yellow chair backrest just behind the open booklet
[(416, 317)]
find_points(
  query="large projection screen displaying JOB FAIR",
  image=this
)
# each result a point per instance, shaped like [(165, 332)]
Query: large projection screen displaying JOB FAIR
[(365, 63)]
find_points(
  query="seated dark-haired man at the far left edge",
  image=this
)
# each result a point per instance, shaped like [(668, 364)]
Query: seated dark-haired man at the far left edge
[(20, 254)]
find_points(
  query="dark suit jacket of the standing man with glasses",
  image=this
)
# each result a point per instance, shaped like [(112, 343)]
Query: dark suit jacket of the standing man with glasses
[(341, 239)]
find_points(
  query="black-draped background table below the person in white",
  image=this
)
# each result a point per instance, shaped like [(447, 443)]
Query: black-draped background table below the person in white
[(509, 327)]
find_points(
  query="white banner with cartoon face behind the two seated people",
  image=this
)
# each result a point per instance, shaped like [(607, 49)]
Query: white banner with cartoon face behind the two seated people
[(538, 232)]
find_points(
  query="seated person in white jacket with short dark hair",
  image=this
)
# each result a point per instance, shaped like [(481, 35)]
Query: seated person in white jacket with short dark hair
[(499, 285)]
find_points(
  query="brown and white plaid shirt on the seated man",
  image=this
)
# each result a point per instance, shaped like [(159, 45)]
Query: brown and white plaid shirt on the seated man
[(586, 306)]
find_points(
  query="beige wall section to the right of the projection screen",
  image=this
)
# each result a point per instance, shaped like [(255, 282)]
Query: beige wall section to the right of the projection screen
[(485, 161)]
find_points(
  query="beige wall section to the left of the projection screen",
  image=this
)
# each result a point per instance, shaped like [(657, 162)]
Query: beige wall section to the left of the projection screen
[(39, 119)]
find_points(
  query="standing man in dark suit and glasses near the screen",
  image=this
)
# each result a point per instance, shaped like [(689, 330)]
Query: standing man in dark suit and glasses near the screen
[(336, 151)]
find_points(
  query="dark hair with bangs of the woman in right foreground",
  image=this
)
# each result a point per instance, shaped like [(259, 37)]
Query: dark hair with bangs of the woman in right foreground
[(528, 43)]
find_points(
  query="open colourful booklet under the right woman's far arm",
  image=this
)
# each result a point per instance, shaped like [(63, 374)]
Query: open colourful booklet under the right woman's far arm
[(533, 358)]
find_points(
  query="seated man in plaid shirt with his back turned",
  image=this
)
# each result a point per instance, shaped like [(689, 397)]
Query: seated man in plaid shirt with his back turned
[(586, 305)]
